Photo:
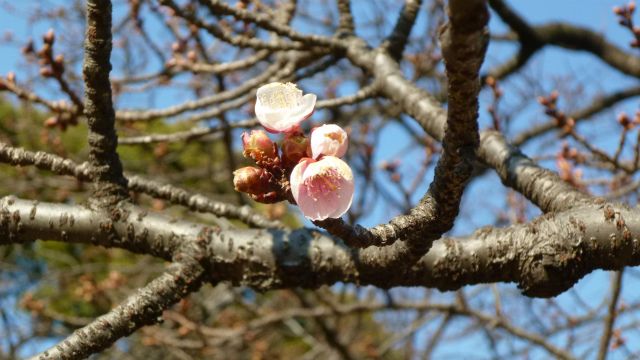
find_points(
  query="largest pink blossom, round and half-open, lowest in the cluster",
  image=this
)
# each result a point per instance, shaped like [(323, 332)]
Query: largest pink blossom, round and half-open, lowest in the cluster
[(322, 188)]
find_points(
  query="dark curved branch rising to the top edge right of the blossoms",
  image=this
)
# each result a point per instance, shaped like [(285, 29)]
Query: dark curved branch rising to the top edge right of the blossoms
[(464, 44)]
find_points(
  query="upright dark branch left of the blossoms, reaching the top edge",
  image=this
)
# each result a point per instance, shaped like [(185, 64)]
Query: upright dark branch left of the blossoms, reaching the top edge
[(110, 183)]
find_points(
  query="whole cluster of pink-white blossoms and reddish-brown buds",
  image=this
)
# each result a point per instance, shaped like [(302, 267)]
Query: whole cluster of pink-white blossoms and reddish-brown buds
[(305, 170)]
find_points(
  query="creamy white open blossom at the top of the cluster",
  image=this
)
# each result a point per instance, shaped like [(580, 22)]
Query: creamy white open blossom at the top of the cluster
[(281, 107)]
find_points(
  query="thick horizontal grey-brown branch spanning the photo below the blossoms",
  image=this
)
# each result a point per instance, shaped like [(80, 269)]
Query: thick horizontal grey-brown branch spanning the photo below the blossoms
[(545, 257)]
